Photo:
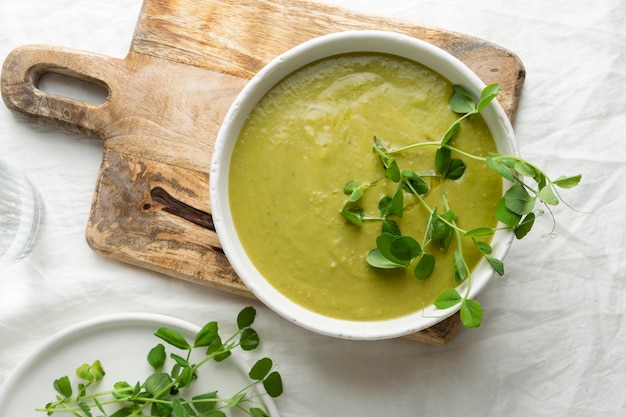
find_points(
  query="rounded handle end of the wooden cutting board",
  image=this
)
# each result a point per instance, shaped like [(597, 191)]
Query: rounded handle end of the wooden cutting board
[(25, 66)]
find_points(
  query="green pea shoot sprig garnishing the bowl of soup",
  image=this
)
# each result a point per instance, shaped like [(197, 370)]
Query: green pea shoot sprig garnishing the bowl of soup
[(528, 187)]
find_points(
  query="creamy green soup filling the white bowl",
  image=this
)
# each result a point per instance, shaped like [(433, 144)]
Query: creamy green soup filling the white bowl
[(313, 133)]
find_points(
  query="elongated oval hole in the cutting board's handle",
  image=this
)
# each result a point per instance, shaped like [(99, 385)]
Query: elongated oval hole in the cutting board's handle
[(74, 88)]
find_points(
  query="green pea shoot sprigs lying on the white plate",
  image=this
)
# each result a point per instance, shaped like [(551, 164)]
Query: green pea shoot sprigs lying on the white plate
[(162, 394)]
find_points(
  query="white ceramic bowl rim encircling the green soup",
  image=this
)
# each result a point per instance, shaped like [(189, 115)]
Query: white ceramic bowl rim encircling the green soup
[(301, 55)]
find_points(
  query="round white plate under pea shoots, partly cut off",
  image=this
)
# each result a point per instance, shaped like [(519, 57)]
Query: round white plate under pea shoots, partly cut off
[(121, 342)]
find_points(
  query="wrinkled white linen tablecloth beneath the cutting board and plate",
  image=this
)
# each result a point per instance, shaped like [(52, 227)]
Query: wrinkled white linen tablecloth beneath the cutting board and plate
[(553, 340)]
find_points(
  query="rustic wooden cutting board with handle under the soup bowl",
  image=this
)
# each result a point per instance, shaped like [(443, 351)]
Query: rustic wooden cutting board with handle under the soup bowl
[(188, 59)]
